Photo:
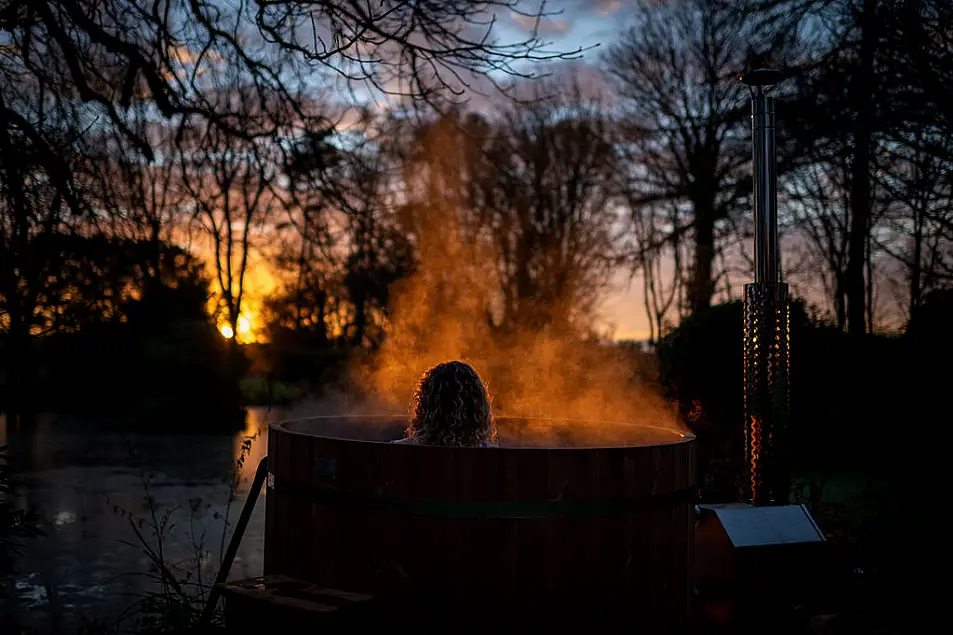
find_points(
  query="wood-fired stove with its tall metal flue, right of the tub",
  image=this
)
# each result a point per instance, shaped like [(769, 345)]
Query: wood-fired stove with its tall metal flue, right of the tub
[(753, 557)]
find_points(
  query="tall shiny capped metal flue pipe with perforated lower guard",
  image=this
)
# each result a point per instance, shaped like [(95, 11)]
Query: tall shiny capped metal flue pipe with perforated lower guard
[(766, 330)]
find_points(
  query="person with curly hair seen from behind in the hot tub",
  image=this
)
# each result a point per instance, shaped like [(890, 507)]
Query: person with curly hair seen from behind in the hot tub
[(451, 407)]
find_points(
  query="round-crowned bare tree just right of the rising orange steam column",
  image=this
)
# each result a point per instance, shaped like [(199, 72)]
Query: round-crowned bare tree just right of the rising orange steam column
[(551, 210)]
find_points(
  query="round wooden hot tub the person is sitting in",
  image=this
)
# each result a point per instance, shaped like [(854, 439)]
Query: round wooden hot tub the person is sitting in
[(601, 531)]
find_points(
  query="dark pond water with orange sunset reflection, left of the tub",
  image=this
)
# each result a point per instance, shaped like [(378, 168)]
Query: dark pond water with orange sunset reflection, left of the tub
[(94, 486)]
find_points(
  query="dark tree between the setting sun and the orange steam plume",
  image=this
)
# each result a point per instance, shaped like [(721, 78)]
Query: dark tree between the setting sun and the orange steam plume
[(341, 245)]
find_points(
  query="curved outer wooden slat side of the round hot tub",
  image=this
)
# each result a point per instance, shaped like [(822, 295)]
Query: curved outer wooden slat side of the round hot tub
[(643, 553)]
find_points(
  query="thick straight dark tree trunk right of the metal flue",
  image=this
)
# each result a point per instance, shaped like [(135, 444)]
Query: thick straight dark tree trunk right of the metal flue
[(860, 189)]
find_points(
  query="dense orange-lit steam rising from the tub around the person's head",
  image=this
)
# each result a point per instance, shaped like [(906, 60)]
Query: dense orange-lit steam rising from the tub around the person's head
[(440, 313)]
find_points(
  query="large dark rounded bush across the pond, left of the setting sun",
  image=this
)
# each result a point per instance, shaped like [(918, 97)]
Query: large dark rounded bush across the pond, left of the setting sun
[(119, 341)]
